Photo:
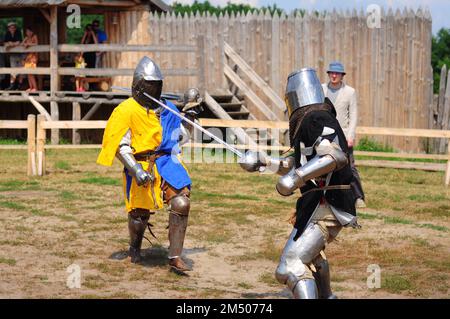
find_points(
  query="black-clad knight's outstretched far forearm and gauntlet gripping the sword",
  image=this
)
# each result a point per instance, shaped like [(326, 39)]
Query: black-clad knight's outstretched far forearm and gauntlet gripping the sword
[(255, 161)]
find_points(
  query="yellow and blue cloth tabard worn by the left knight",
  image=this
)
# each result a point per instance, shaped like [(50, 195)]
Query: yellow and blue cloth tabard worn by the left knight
[(148, 133)]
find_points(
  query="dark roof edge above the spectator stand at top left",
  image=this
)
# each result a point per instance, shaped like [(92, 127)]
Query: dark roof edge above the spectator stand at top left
[(159, 4)]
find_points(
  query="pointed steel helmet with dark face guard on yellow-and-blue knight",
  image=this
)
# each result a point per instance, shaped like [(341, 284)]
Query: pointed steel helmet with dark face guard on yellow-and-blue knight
[(147, 78)]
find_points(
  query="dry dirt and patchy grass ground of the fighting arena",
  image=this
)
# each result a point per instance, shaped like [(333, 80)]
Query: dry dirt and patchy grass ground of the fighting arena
[(237, 228)]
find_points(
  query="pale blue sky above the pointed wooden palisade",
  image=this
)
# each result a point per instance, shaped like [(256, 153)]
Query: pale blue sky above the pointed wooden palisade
[(440, 9)]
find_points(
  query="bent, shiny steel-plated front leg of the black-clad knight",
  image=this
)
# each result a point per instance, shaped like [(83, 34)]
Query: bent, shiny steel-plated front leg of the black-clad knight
[(293, 269)]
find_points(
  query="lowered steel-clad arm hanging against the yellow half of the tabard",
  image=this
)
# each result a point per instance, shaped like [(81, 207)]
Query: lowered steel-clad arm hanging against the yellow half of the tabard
[(125, 155)]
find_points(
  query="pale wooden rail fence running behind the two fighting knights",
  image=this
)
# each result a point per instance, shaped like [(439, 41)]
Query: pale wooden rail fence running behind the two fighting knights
[(43, 125)]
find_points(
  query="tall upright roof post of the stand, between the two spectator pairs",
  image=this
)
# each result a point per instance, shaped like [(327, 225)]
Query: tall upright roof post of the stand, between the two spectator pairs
[(54, 77)]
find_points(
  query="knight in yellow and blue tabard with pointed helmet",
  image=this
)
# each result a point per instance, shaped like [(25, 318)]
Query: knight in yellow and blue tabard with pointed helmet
[(145, 138)]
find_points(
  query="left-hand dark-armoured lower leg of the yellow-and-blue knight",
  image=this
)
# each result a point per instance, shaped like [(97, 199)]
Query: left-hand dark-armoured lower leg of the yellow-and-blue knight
[(137, 222)]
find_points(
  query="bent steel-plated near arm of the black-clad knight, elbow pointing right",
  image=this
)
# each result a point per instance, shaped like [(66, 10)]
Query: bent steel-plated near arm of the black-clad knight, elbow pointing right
[(329, 158)]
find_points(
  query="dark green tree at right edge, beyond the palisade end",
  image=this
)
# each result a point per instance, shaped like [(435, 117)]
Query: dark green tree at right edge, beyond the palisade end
[(440, 54)]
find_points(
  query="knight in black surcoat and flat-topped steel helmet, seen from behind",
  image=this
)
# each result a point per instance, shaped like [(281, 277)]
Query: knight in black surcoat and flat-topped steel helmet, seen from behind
[(320, 168)]
